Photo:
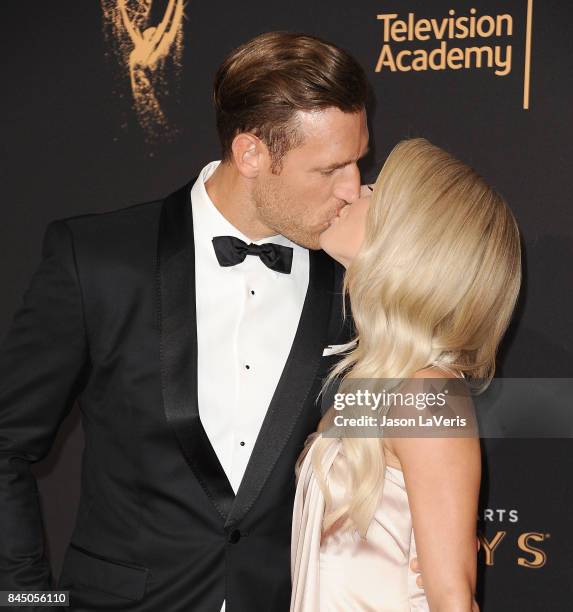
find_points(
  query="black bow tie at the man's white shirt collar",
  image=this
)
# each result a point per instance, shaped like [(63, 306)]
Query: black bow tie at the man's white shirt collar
[(231, 251)]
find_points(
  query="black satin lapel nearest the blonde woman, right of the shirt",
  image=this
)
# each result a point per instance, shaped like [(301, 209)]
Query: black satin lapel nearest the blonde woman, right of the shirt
[(294, 385)]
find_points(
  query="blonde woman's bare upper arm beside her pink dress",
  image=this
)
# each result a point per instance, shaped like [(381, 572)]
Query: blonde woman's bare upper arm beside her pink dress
[(442, 476)]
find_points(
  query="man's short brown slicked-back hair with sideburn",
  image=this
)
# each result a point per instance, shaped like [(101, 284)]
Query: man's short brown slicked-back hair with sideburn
[(260, 85)]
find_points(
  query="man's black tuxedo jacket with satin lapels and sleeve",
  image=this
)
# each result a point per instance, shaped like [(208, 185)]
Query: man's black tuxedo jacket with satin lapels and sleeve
[(109, 320)]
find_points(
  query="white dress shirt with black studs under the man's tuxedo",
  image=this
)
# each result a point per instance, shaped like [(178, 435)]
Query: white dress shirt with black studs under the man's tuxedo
[(247, 317)]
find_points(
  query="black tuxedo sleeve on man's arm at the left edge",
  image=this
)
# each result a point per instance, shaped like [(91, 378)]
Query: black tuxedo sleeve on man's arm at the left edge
[(43, 359)]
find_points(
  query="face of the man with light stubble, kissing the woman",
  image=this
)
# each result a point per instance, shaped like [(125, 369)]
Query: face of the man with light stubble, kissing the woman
[(317, 178)]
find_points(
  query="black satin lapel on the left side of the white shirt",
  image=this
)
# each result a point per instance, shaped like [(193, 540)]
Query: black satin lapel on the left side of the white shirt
[(178, 346)]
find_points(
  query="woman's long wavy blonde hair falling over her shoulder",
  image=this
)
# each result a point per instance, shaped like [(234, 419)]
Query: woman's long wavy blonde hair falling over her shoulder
[(434, 284)]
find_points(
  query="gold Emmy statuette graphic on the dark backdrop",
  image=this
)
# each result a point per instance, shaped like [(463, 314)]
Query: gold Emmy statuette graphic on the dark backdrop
[(143, 50)]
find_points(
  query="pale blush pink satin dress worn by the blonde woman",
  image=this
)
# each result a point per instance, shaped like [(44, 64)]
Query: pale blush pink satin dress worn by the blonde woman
[(340, 572)]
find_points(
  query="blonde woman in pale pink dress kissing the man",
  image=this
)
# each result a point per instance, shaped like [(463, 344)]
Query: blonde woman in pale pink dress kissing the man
[(433, 270)]
